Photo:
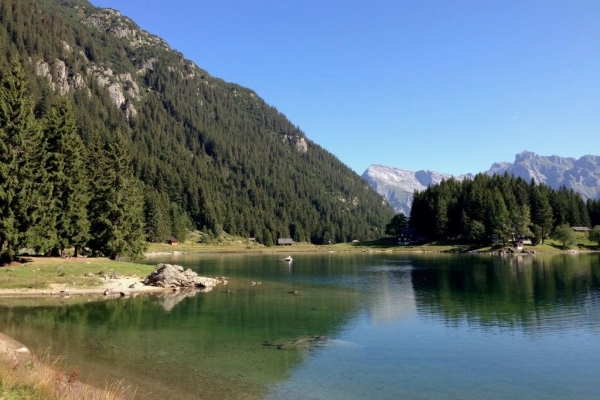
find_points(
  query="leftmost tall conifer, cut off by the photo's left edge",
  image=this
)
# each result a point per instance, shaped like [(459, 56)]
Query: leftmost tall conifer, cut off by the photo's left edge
[(24, 187)]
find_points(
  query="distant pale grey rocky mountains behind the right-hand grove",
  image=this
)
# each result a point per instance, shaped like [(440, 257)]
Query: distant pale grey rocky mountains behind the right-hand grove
[(582, 175)]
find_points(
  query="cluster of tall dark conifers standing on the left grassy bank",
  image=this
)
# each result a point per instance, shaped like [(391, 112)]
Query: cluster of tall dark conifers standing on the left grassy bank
[(48, 200)]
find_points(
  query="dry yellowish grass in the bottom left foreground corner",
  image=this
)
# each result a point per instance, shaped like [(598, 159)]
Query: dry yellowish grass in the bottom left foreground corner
[(24, 377)]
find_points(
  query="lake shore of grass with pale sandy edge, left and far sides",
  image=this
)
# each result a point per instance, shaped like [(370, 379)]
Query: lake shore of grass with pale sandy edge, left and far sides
[(47, 276)]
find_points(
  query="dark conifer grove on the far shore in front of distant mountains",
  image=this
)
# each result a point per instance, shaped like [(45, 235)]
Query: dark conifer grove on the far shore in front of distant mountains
[(475, 209)]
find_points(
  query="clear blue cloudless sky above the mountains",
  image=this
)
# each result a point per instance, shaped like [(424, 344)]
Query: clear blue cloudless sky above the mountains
[(451, 86)]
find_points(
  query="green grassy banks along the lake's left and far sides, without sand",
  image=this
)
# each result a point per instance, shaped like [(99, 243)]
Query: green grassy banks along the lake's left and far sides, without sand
[(43, 273)]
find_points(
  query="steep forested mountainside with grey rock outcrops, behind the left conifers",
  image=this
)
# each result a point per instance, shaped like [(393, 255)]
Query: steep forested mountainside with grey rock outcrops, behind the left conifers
[(208, 154)]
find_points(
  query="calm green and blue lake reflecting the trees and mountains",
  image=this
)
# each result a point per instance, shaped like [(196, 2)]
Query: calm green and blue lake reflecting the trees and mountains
[(340, 326)]
